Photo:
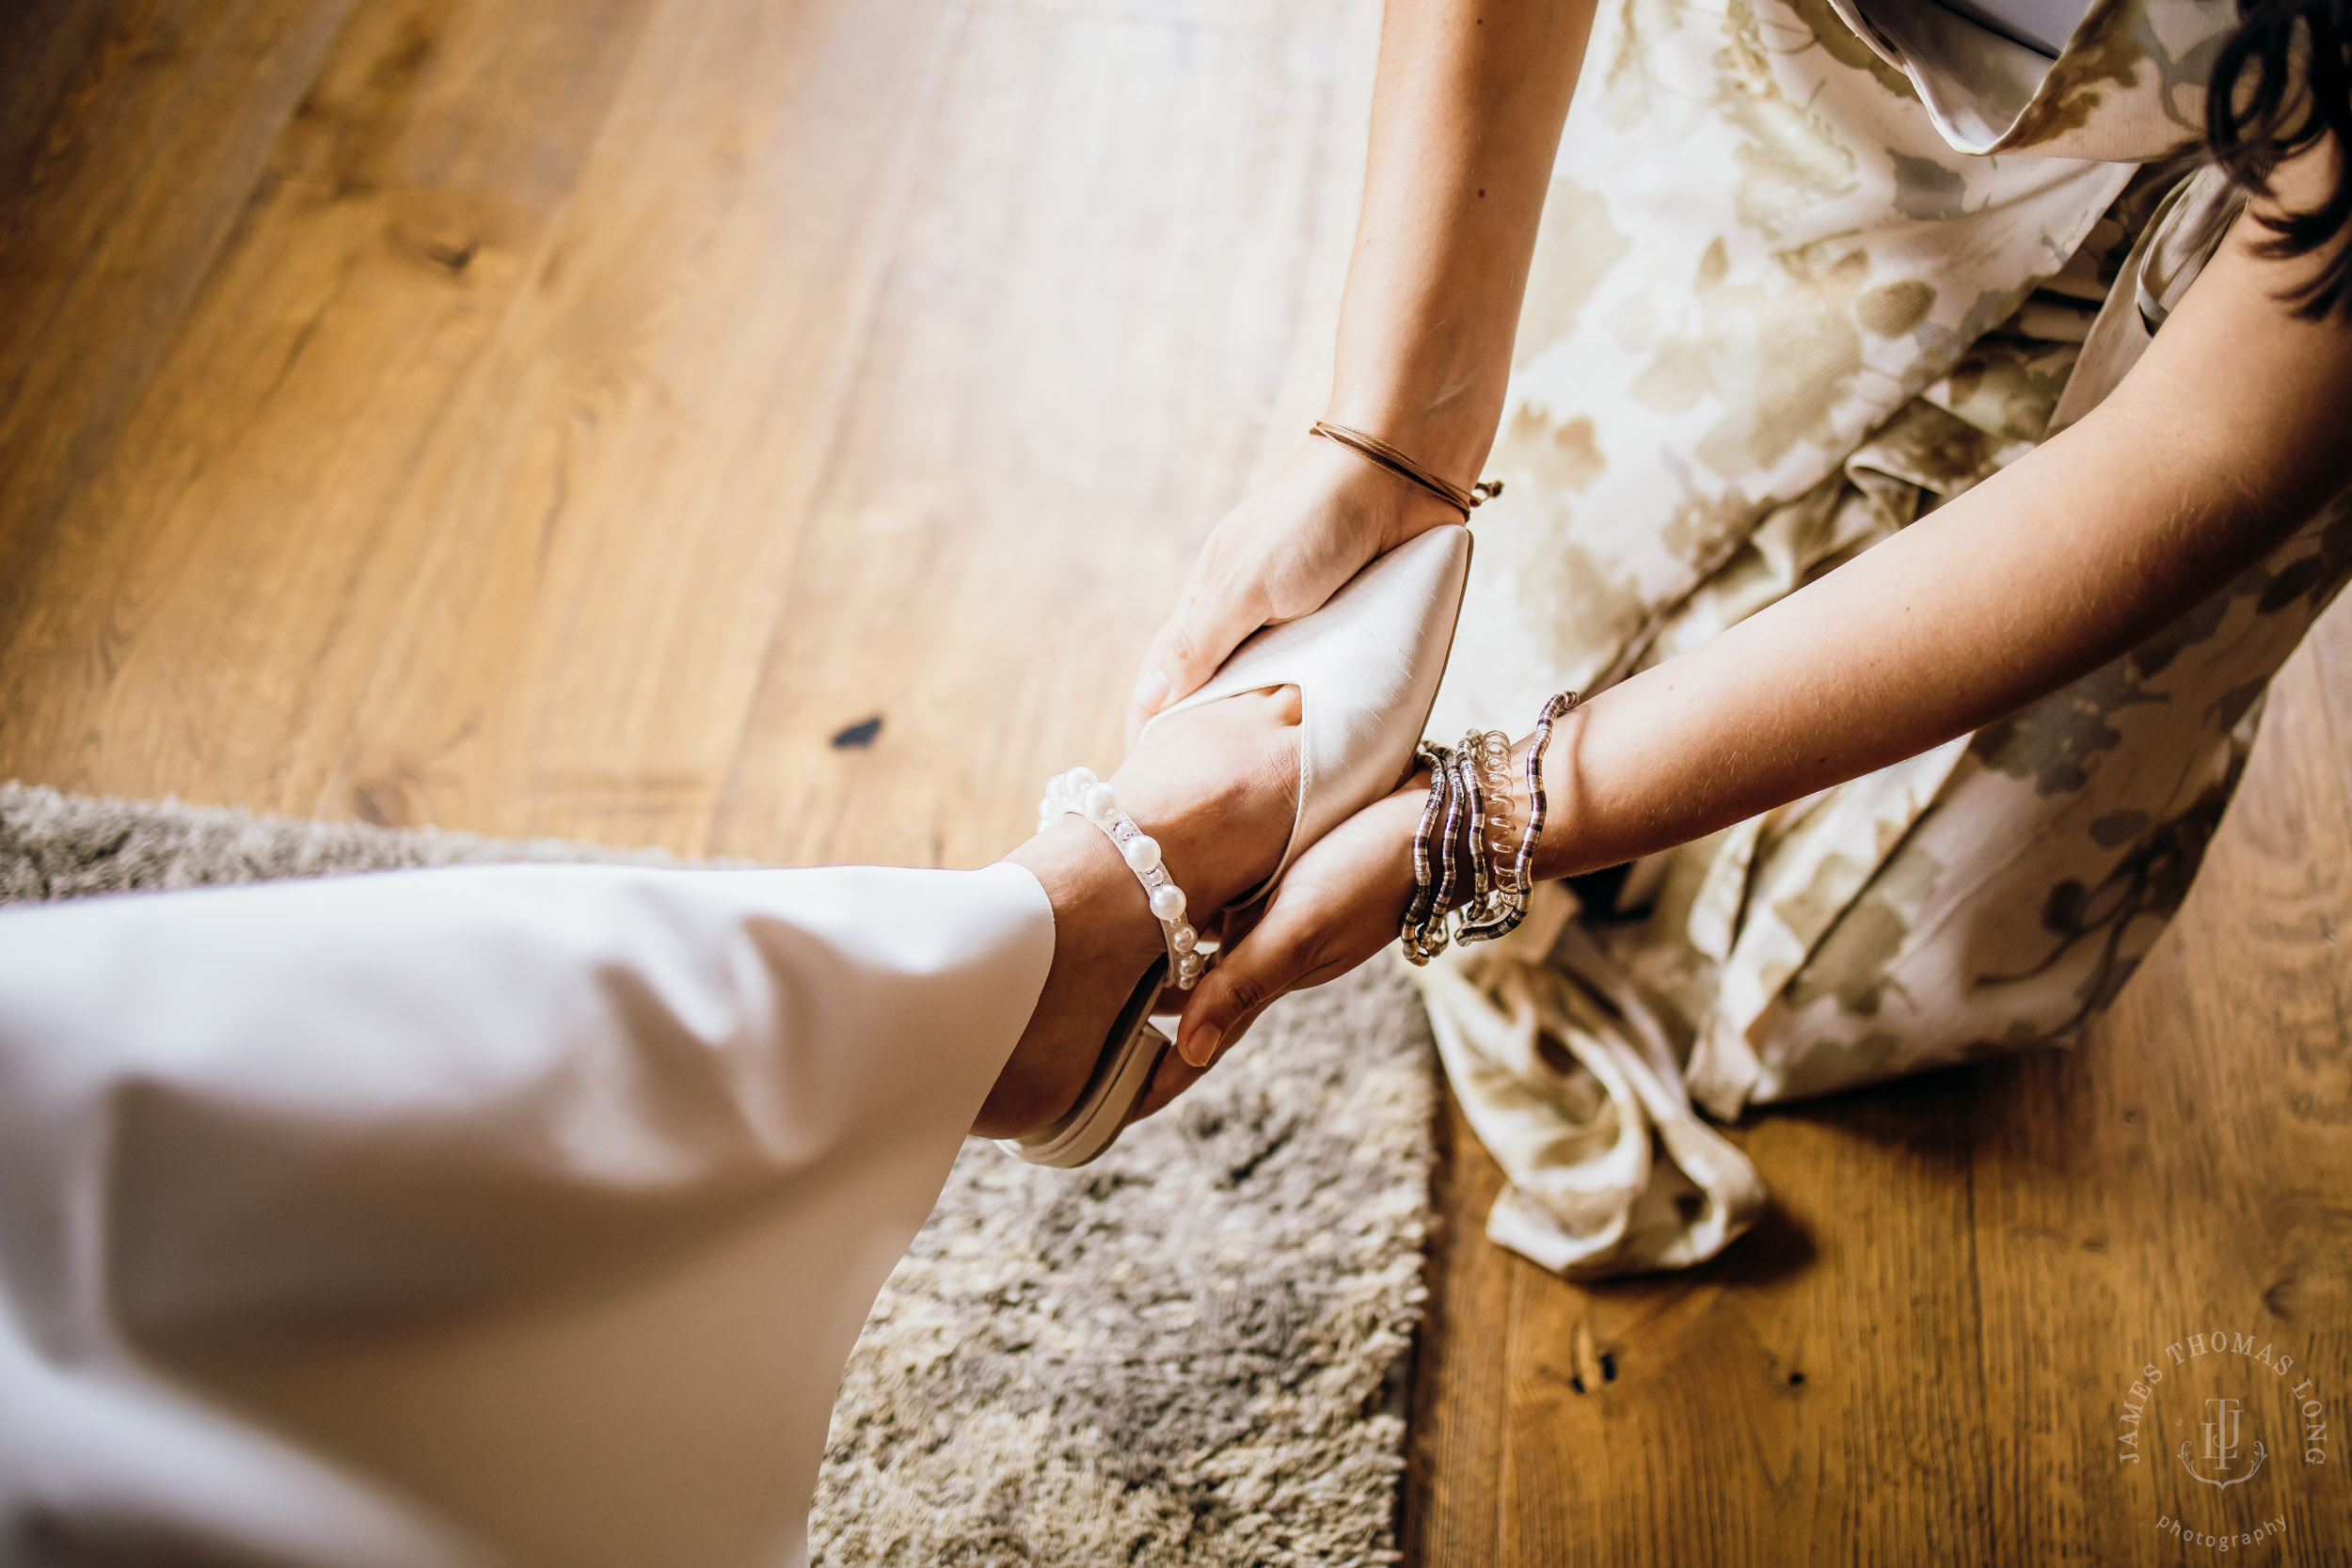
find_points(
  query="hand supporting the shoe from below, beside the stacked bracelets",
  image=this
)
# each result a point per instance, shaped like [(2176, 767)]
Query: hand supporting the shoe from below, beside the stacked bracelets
[(1337, 906)]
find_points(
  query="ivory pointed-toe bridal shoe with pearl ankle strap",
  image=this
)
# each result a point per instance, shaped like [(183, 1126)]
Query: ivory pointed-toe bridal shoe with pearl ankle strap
[(1368, 669)]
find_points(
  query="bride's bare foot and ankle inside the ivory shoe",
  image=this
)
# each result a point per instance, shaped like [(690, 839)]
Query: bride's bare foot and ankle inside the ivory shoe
[(1220, 789)]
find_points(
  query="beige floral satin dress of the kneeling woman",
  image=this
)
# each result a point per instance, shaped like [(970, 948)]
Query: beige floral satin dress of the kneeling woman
[(1808, 274)]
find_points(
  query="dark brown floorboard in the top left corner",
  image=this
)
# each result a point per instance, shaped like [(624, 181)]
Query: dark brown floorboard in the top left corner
[(135, 135)]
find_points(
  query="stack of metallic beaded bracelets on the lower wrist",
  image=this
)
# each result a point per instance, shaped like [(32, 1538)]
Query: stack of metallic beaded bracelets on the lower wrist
[(1462, 852)]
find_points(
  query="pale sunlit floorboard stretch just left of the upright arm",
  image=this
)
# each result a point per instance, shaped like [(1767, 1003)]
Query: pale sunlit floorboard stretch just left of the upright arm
[(1102, 321)]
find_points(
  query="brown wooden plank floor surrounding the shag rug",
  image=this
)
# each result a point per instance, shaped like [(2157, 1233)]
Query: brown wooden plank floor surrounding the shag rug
[(573, 417)]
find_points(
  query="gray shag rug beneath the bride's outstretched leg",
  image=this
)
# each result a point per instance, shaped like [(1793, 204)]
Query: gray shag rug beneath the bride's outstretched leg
[(1196, 1351)]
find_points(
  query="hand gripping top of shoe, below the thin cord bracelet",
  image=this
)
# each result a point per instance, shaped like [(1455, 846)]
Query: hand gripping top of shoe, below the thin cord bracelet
[(1274, 558)]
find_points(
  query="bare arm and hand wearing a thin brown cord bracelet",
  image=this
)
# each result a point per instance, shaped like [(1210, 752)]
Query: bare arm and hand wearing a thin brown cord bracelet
[(1466, 119)]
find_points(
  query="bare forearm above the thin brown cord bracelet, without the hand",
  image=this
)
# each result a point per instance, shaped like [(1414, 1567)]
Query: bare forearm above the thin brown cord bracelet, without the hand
[(1464, 126)]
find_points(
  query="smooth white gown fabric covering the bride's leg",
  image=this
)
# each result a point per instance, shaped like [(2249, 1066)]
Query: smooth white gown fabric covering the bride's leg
[(472, 1217)]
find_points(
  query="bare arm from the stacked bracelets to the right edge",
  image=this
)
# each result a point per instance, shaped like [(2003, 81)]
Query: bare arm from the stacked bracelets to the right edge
[(2219, 443)]
